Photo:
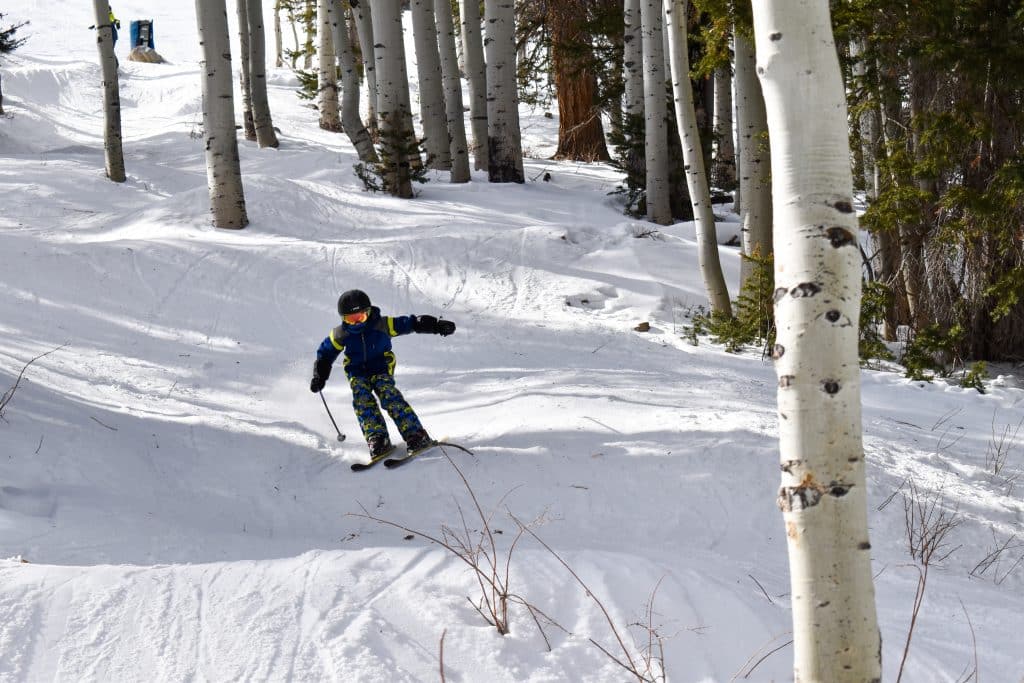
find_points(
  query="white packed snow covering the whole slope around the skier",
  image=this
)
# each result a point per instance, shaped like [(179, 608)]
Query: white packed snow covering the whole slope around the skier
[(175, 502)]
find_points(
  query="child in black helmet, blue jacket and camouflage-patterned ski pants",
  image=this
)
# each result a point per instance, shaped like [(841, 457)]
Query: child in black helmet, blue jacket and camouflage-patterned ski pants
[(365, 336)]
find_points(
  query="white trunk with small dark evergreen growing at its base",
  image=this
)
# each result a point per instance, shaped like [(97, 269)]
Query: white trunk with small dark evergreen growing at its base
[(393, 108)]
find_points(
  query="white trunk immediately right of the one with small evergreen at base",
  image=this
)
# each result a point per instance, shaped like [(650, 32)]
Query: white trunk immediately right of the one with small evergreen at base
[(429, 69)]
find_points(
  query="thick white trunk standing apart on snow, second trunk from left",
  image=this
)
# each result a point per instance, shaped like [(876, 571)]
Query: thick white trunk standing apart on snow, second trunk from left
[(228, 202)]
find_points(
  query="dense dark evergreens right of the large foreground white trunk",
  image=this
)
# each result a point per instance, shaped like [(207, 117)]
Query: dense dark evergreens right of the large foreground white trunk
[(944, 81)]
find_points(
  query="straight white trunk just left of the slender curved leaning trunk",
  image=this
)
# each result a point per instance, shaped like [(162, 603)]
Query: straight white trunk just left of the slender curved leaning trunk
[(656, 121)]
